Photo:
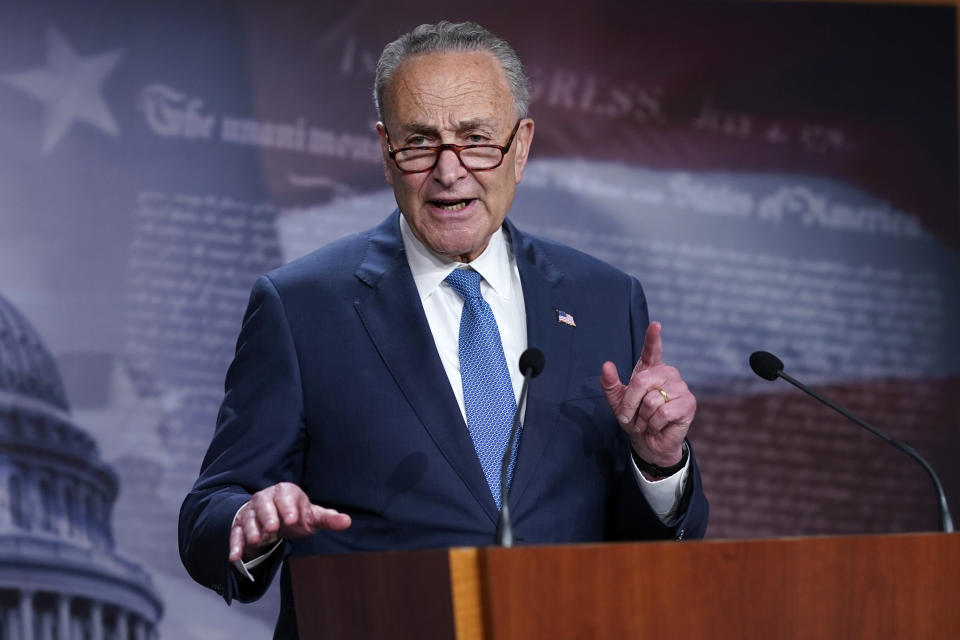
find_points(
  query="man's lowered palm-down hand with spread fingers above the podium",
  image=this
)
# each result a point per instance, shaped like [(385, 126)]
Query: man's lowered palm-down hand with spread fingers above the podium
[(279, 511)]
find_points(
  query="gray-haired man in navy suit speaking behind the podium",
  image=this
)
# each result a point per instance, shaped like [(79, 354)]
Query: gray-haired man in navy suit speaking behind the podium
[(349, 423)]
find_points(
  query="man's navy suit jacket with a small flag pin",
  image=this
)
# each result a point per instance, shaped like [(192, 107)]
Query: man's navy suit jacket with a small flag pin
[(337, 386)]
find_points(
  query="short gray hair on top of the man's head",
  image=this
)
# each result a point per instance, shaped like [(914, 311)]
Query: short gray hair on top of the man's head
[(446, 37)]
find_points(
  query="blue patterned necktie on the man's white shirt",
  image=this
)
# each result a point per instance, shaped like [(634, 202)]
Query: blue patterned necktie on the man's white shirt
[(487, 390)]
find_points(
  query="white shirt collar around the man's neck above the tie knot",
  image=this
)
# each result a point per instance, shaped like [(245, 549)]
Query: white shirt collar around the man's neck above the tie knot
[(429, 269)]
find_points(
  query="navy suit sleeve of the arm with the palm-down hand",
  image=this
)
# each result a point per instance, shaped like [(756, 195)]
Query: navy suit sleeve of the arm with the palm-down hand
[(258, 441)]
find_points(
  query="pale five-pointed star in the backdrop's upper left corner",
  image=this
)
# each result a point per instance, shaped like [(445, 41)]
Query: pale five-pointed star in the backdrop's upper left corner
[(69, 88)]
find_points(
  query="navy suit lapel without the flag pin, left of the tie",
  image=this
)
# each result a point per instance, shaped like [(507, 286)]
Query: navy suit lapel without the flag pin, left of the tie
[(393, 317)]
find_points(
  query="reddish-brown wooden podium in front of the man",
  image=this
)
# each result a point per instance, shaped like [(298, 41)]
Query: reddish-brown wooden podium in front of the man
[(857, 587)]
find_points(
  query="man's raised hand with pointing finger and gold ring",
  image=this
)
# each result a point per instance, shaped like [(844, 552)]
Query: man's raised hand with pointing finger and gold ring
[(655, 408)]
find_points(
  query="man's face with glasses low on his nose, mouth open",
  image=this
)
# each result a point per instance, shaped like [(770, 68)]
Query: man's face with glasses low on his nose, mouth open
[(459, 98)]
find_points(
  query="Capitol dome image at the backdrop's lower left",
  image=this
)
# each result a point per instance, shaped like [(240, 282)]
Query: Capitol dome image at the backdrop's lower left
[(61, 577)]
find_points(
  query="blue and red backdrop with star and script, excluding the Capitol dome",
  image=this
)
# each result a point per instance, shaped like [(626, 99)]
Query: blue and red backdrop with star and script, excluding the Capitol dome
[(778, 176)]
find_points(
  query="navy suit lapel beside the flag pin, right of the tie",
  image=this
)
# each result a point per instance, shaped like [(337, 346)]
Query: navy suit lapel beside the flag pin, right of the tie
[(542, 296)]
